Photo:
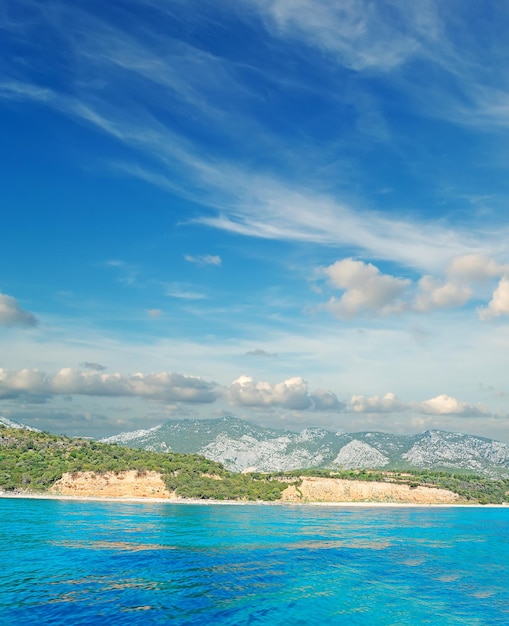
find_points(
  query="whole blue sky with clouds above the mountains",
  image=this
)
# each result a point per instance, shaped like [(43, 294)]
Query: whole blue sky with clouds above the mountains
[(291, 212)]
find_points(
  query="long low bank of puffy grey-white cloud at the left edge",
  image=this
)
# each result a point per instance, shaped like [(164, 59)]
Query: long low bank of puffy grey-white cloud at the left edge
[(162, 386)]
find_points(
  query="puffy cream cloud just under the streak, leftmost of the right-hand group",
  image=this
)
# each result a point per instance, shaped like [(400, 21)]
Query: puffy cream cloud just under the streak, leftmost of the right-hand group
[(365, 289)]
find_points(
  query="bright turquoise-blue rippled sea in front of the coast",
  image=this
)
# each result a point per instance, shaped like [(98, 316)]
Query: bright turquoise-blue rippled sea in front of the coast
[(101, 562)]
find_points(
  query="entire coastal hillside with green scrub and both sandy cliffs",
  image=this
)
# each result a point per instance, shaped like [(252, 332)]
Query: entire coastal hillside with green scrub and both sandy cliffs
[(32, 461)]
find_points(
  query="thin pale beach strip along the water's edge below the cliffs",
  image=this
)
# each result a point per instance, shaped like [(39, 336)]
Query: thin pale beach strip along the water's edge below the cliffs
[(203, 502)]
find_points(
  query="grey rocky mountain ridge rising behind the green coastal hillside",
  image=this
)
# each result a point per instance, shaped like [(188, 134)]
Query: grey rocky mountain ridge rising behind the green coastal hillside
[(242, 446)]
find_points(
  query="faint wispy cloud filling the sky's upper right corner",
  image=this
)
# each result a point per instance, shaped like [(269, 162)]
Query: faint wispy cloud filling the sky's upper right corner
[(465, 82)]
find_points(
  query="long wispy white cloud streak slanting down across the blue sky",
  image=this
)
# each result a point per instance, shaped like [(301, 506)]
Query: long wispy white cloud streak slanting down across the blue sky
[(262, 206)]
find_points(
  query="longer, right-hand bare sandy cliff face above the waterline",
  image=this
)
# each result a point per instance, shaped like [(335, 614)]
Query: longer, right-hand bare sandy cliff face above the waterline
[(338, 490)]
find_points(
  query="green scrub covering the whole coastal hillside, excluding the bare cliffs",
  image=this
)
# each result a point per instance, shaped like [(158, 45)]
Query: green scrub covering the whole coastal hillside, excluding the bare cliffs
[(33, 461)]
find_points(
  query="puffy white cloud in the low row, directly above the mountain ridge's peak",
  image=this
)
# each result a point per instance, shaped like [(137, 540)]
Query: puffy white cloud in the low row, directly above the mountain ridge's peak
[(290, 394)]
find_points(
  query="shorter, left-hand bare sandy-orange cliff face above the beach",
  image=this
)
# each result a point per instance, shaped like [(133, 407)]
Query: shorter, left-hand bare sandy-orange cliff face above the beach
[(128, 484)]
